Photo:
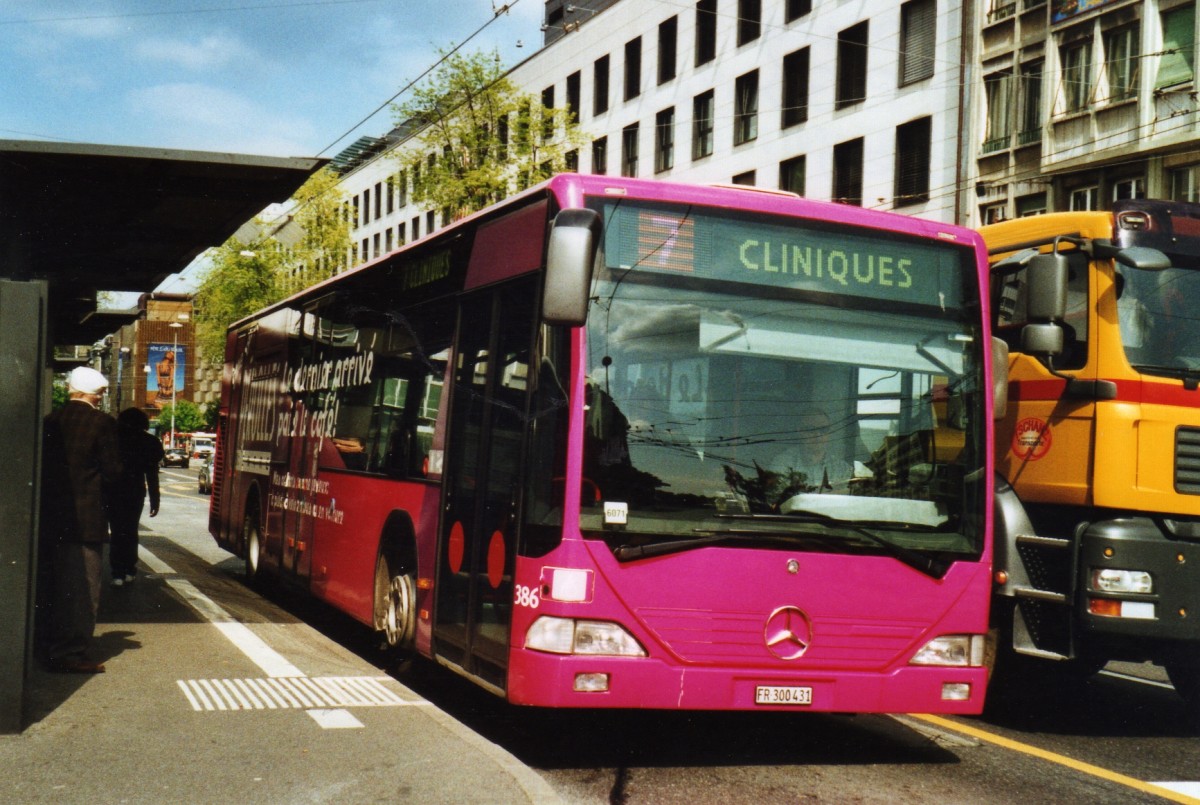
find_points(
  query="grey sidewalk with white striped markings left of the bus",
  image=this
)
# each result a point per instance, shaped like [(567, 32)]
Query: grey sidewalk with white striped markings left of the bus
[(213, 695)]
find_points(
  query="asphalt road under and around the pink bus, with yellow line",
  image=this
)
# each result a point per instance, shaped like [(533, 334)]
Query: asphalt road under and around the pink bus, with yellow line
[(1117, 738)]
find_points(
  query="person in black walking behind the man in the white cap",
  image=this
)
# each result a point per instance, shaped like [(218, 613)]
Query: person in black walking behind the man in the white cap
[(141, 455)]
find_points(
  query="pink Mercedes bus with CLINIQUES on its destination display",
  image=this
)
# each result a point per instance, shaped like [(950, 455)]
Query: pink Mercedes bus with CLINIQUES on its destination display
[(619, 443)]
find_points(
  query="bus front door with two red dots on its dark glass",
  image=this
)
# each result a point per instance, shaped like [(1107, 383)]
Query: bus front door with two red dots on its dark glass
[(487, 434)]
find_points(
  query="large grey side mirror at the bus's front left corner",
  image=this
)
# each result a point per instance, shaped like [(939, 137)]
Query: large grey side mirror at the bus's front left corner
[(574, 244)]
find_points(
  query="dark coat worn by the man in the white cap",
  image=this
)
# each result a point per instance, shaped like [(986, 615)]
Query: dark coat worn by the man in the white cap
[(80, 465)]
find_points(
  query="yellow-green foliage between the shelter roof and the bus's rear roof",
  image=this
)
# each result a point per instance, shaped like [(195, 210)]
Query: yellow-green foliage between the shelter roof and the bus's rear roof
[(290, 255)]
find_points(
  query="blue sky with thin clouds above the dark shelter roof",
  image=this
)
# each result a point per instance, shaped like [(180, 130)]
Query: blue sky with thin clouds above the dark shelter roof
[(262, 77)]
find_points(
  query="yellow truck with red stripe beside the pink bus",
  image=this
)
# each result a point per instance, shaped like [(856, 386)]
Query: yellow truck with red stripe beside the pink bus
[(1099, 507)]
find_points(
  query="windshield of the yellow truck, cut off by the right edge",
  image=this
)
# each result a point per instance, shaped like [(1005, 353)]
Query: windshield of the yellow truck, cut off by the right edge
[(1160, 329)]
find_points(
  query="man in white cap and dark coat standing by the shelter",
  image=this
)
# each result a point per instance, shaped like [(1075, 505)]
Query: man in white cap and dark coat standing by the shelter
[(80, 464)]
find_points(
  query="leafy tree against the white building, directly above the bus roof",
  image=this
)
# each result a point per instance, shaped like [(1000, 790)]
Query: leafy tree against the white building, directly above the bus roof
[(478, 137)]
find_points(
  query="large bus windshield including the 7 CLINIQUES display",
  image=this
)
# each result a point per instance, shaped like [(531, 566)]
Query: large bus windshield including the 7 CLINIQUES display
[(760, 381)]
